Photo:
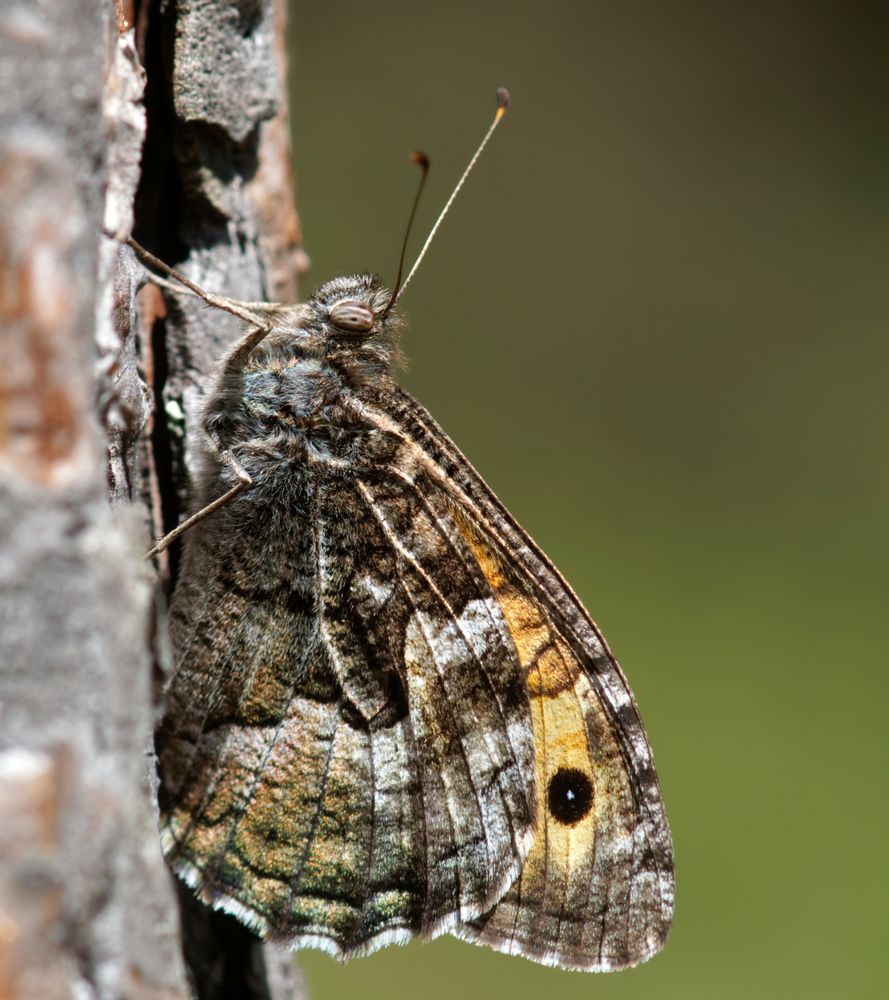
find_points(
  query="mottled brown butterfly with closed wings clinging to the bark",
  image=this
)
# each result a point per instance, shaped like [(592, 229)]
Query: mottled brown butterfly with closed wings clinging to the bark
[(391, 716)]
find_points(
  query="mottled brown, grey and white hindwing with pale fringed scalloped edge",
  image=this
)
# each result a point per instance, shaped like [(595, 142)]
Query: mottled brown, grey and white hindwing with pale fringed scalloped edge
[(347, 754)]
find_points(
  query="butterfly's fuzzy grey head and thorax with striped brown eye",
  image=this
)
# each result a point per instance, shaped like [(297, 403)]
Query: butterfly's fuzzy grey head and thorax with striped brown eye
[(292, 411)]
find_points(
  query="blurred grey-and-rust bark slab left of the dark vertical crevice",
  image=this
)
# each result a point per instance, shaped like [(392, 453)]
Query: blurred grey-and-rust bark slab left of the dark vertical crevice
[(85, 901)]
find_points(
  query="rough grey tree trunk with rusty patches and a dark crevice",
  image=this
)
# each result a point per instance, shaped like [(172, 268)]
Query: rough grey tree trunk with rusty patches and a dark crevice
[(194, 153)]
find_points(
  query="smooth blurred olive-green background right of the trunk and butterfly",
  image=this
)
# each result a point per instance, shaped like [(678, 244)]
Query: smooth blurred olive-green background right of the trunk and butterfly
[(657, 322)]
